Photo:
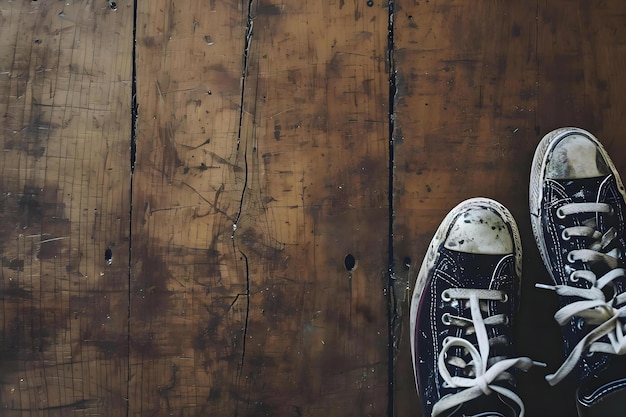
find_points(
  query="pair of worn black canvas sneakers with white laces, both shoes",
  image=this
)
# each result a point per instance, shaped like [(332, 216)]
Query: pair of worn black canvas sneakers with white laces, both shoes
[(467, 289)]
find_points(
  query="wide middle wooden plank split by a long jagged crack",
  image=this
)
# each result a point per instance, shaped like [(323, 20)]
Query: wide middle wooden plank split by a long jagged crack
[(249, 198)]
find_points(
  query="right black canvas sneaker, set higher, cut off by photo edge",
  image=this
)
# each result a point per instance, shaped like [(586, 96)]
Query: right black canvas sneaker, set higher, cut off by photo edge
[(577, 214)]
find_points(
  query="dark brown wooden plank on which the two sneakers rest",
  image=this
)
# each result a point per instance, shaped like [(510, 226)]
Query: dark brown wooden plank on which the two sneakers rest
[(478, 85)]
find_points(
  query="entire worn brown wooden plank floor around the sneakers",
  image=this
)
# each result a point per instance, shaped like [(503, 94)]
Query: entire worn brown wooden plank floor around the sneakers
[(216, 208)]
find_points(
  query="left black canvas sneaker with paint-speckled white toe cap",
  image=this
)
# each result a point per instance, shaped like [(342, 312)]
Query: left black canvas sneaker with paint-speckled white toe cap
[(462, 309)]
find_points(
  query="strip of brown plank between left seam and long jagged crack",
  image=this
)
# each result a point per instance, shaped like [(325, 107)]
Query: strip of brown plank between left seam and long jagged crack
[(186, 311)]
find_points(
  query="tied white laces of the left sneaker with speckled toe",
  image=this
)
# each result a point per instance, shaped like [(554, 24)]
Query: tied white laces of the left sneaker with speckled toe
[(484, 370)]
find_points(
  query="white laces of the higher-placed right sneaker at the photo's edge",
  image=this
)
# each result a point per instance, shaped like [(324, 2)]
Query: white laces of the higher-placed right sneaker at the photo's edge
[(593, 308)]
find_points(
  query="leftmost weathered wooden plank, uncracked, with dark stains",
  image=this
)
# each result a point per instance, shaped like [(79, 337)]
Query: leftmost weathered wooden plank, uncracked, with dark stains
[(65, 88)]
